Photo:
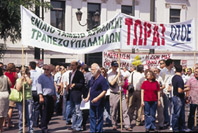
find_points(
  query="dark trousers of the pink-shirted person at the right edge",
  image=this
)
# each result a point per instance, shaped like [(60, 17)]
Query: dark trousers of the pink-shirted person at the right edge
[(191, 117)]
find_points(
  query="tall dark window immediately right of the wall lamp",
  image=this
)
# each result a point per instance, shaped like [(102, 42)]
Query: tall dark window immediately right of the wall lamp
[(93, 8)]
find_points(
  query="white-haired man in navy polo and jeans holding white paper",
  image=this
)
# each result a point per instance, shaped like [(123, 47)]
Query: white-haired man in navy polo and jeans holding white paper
[(98, 88)]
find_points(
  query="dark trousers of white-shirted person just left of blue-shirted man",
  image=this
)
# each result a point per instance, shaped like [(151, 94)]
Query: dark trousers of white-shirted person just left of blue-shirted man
[(36, 108)]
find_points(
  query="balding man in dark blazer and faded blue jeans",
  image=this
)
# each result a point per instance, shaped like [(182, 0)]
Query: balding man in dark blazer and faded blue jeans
[(74, 90)]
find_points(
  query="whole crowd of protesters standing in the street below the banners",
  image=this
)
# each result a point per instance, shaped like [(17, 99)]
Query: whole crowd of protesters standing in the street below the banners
[(154, 97)]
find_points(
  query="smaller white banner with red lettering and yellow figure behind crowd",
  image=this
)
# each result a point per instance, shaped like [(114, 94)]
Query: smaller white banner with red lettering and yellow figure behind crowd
[(129, 59)]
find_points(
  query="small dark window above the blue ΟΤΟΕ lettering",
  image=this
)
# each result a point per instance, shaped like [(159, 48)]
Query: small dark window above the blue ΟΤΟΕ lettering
[(174, 15)]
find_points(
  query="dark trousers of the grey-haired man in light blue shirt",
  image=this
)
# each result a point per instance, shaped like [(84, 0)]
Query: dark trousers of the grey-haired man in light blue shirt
[(46, 112)]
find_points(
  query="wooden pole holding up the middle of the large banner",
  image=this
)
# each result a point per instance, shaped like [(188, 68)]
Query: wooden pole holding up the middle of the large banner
[(120, 91)]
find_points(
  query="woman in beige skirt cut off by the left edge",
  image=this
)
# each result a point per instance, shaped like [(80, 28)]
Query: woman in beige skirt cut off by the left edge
[(4, 97)]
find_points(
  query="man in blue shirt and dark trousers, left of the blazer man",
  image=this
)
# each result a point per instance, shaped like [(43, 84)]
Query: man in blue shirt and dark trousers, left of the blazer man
[(47, 96)]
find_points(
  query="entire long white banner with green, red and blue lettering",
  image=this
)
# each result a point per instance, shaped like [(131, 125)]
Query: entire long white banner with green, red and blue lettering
[(121, 32)]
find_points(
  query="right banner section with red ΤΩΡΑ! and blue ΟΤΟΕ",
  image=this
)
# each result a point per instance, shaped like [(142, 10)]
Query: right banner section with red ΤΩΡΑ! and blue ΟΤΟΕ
[(136, 33)]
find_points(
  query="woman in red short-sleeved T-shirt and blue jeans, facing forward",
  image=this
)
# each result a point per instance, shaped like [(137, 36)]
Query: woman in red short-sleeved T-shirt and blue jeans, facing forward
[(150, 97)]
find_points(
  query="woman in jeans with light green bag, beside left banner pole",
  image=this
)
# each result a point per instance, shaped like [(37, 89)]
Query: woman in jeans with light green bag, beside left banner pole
[(25, 79)]
